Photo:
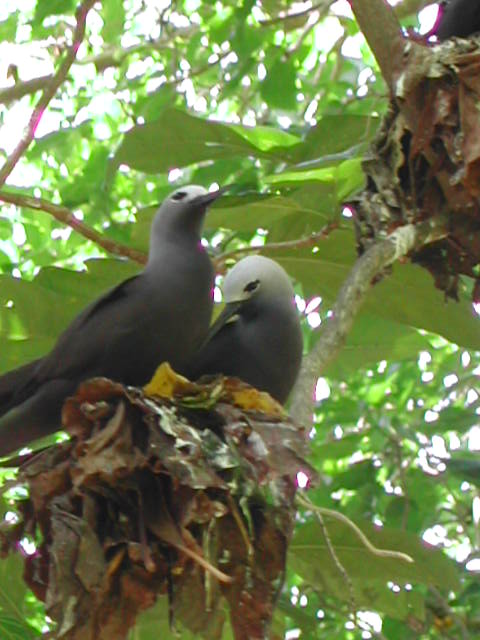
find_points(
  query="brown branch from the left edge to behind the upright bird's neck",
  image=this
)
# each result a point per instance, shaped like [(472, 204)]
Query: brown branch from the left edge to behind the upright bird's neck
[(64, 215)]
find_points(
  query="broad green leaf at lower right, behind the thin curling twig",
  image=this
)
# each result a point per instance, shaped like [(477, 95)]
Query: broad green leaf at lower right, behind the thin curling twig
[(370, 574)]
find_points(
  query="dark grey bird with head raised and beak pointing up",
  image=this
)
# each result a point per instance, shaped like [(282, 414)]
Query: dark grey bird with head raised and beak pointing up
[(162, 314)]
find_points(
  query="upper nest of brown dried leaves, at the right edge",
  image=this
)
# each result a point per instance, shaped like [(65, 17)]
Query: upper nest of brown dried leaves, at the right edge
[(425, 163)]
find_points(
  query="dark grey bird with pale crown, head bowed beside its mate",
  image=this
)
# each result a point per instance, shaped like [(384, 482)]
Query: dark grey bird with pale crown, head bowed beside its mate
[(257, 337)]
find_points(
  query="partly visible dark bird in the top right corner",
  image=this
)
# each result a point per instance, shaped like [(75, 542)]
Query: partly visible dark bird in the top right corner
[(459, 18)]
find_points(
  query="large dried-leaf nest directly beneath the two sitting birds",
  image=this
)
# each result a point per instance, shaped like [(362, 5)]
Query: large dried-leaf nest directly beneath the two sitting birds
[(181, 490)]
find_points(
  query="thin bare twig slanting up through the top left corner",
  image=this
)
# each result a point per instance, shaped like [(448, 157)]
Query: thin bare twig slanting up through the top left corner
[(50, 90)]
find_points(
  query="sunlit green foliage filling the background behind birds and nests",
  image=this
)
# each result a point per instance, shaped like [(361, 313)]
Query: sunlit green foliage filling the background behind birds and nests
[(280, 100)]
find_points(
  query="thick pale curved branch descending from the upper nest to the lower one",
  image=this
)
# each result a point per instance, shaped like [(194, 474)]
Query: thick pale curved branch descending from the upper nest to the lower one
[(349, 301)]
